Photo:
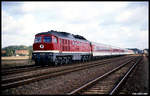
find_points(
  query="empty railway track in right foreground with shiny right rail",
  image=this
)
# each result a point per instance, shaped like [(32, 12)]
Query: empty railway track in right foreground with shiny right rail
[(105, 84)]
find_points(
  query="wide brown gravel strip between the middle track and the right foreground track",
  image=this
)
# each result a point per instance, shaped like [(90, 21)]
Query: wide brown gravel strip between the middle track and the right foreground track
[(64, 83)]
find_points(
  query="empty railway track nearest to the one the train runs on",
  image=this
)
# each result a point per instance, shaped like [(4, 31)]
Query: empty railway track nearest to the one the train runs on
[(17, 81)]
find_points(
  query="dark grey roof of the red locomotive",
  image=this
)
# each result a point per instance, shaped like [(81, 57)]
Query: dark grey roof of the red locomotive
[(63, 34)]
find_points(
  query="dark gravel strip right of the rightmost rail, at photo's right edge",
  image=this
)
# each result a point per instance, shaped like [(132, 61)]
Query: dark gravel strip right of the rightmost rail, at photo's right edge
[(138, 81)]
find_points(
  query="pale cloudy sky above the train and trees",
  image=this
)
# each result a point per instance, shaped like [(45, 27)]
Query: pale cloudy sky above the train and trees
[(120, 24)]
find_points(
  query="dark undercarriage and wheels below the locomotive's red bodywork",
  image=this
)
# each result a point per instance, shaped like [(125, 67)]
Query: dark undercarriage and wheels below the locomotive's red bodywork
[(59, 58)]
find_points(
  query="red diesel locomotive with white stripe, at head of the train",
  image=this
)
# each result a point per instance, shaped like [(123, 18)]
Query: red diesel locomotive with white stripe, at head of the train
[(54, 47)]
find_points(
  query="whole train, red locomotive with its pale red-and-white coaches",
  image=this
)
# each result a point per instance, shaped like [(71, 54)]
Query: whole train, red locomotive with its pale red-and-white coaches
[(57, 48)]
